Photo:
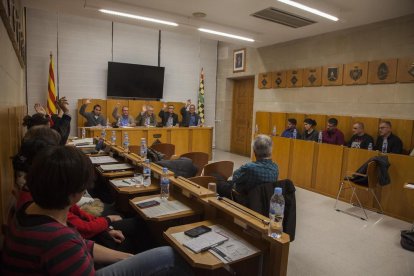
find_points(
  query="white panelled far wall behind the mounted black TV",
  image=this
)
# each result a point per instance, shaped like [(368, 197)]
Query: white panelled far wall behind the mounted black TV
[(83, 46)]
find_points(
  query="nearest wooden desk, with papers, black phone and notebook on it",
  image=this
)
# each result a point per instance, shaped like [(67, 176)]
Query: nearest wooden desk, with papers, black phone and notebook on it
[(206, 260)]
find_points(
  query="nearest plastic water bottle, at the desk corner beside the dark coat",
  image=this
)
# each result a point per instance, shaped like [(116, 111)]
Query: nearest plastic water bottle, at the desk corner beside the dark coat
[(276, 211)]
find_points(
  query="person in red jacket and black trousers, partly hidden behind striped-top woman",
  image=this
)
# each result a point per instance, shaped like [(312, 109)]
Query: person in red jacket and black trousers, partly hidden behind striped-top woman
[(111, 231)]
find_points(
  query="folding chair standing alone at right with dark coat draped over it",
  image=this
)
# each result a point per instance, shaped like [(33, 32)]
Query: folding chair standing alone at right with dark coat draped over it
[(347, 183)]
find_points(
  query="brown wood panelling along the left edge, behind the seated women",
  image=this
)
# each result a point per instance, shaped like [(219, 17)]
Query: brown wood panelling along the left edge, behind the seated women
[(11, 133)]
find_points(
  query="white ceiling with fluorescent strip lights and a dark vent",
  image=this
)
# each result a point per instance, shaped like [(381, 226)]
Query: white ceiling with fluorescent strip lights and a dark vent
[(233, 16)]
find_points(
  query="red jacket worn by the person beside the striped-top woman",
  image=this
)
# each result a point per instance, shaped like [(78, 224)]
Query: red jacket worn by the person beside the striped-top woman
[(86, 224)]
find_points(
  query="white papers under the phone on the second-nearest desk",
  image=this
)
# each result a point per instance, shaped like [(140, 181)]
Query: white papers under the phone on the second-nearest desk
[(166, 207)]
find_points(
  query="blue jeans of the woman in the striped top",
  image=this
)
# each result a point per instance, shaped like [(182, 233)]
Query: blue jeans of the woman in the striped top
[(157, 261)]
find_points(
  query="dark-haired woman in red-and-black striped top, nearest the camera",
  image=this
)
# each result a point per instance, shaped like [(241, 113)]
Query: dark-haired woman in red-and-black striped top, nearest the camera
[(41, 241)]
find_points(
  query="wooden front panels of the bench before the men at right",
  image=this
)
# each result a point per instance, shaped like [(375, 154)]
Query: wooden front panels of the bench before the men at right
[(320, 168)]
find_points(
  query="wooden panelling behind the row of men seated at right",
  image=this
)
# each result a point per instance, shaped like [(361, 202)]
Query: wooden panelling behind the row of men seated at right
[(401, 127)]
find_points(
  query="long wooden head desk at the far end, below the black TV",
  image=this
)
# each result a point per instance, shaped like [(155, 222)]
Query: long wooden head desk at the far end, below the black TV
[(185, 139)]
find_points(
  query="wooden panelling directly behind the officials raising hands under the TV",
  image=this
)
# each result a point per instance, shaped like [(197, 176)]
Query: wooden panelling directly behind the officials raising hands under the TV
[(135, 107)]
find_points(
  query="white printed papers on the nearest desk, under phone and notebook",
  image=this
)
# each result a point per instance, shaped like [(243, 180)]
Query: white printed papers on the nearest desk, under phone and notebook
[(235, 248)]
